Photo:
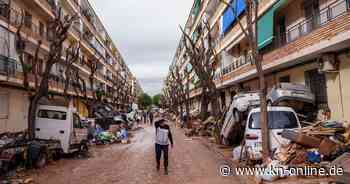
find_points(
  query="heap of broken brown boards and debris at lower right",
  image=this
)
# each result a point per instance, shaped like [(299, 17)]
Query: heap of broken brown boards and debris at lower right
[(322, 141)]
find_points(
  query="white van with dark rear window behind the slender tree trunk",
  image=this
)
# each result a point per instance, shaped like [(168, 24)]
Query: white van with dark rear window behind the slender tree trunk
[(280, 118)]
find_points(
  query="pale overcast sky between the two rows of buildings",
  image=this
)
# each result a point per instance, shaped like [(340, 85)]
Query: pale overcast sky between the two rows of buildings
[(147, 33)]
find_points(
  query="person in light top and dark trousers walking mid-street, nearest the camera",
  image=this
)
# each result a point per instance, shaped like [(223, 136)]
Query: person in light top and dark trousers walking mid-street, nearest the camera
[(163, 137)]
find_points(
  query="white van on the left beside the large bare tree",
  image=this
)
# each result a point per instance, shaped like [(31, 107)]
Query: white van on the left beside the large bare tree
[(63, 124)]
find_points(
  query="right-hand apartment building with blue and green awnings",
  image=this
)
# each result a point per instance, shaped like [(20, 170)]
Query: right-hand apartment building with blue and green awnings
[(302, 41)]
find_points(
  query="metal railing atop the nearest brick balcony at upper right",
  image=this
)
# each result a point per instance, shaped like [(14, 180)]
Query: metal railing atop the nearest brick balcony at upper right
[(313, 22)]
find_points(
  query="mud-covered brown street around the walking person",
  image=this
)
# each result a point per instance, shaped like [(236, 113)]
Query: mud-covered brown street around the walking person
[(190, 162)]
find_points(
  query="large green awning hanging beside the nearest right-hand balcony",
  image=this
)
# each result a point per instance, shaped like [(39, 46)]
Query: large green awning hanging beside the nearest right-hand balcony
[(266, 24)]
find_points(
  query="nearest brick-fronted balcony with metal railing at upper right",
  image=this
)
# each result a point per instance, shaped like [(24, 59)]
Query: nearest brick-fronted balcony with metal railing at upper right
[(327, 24)]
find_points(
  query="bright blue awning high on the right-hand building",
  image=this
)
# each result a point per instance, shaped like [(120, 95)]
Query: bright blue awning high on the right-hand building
[(229, 17)]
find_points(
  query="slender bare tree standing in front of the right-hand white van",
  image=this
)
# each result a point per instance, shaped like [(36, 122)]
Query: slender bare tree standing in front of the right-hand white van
[(251, 33)]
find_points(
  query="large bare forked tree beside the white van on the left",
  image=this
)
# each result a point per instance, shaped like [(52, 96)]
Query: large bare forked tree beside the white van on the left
[(58, 30)]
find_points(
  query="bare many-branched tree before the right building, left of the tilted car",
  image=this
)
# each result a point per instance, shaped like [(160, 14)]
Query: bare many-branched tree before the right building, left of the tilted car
[(202, 57)]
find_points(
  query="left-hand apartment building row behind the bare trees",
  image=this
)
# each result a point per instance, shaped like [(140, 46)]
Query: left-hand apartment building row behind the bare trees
[(95, 43)]
